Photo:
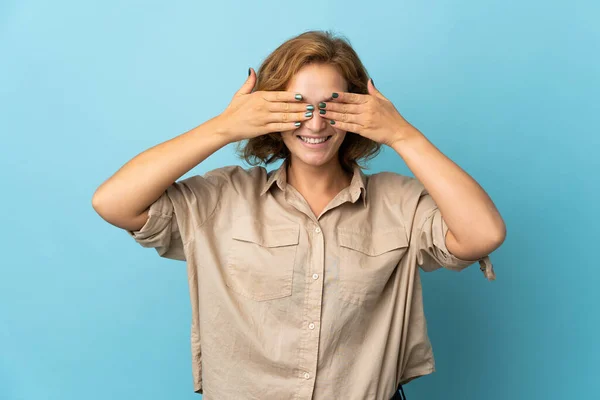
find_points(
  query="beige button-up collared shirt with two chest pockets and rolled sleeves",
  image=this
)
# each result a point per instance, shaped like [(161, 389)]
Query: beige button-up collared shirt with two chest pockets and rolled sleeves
[(289, 305)]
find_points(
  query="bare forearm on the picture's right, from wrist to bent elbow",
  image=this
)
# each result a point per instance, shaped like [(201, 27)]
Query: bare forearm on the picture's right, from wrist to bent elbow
[(469, 212)]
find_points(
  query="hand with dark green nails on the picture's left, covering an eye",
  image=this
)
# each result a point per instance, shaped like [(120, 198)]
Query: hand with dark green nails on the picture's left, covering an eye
[(254, 114)]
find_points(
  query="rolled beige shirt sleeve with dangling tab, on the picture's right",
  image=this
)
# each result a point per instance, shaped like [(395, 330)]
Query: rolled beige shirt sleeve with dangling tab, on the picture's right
[(429, 238)]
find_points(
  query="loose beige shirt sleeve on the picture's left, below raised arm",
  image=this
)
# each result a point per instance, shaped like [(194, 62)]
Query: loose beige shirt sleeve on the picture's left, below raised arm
[(173, 217)]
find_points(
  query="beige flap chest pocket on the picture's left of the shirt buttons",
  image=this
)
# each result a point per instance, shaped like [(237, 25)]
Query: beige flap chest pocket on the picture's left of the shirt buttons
[(260, 262)]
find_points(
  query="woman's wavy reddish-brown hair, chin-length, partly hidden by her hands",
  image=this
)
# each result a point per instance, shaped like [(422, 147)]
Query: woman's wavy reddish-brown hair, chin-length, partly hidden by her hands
[(278, 69)]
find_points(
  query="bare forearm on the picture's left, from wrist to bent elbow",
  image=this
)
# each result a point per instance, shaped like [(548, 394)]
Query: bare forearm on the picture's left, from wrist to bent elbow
[(138, 183)]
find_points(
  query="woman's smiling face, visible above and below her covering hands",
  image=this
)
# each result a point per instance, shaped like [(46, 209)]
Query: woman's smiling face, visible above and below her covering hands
[(316, 83)]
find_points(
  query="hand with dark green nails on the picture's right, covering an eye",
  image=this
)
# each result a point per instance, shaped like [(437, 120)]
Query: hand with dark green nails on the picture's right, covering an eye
[(369, 115)]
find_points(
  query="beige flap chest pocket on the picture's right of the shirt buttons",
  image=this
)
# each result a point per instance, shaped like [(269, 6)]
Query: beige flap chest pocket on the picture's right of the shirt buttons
[(367, 260)]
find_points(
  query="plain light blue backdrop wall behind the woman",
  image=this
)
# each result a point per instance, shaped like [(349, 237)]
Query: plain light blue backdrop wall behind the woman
[(507, 89)]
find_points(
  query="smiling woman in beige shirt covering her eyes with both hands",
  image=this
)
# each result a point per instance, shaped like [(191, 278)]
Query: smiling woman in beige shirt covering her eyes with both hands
[(303, 280)]
